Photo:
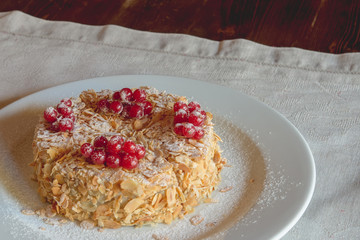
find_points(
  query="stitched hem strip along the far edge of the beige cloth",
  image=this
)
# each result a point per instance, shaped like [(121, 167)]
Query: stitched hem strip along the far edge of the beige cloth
[(18, 23)]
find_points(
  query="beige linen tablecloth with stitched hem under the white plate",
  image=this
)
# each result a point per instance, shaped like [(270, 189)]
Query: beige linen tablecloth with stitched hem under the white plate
[(319, 93)]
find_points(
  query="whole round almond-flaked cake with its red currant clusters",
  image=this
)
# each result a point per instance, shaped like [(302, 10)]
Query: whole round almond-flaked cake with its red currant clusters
[(178, 168)]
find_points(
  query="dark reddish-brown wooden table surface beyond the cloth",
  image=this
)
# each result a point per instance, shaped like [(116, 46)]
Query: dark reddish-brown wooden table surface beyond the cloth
[(320, 25)]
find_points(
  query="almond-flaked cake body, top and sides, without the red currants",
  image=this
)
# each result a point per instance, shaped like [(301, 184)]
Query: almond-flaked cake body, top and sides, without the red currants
[(175, 175)]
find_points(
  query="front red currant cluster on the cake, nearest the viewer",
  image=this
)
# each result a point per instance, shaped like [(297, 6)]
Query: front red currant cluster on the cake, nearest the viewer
[(114, 153)]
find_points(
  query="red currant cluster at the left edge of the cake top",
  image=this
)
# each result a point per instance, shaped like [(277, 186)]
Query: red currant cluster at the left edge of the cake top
[(62, 118)]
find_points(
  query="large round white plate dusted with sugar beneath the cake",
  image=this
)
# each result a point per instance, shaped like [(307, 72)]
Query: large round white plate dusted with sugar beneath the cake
[(286, 163)]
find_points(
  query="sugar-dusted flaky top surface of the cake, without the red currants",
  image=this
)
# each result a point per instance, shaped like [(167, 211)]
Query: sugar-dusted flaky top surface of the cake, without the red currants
[(154, 132)]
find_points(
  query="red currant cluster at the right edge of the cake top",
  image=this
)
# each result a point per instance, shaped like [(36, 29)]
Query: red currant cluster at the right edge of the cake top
[(188, 120)]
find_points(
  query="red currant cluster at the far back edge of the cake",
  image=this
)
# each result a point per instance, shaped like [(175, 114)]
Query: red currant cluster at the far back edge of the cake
[(128, 103)]
